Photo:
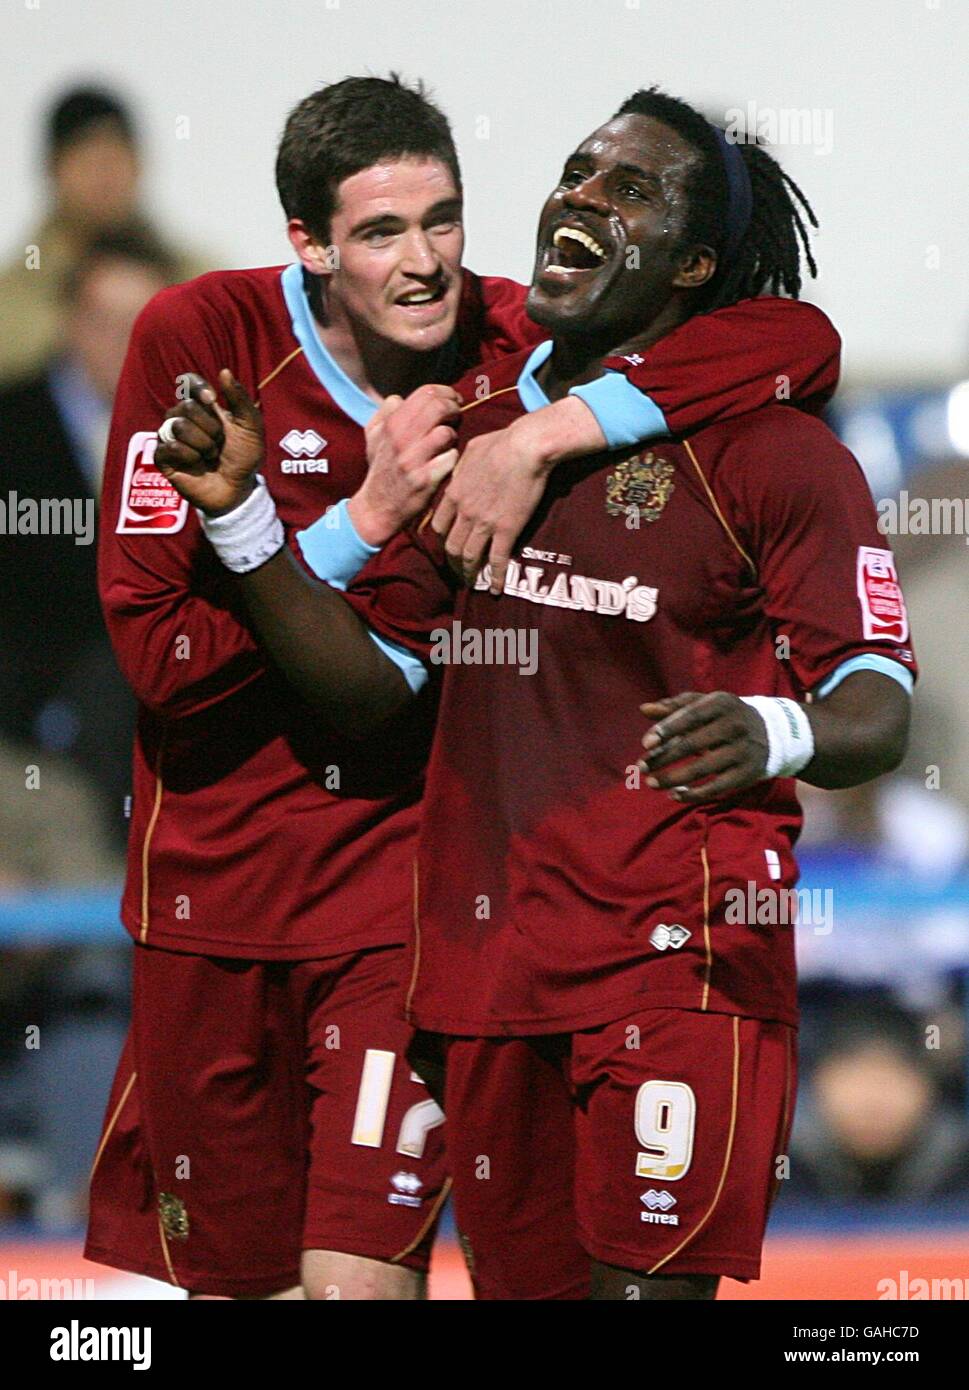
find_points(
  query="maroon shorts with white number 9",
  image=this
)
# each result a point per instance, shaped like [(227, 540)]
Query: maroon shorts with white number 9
[(650, 1145)]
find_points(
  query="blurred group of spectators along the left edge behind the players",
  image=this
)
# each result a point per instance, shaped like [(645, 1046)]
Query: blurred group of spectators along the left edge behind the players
[(69, 300)]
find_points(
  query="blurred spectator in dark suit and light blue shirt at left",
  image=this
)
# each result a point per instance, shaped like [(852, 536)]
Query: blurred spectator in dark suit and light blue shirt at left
[(60, 690)]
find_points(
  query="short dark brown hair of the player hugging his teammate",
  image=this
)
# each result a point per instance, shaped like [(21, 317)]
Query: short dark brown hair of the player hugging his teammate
[(345, 129)]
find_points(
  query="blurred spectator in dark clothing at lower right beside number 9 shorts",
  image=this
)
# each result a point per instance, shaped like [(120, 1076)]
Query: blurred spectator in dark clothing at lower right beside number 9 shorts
[(871, 1124)]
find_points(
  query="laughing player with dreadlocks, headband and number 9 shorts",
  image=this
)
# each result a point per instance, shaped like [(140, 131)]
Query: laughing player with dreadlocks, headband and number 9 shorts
[(604, 951)]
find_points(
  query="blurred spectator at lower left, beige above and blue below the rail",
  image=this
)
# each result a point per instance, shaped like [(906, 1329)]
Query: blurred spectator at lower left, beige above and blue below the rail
[(52, 1096)]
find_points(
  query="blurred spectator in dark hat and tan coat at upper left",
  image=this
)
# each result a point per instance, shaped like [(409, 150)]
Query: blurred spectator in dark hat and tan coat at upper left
[(94, 166)]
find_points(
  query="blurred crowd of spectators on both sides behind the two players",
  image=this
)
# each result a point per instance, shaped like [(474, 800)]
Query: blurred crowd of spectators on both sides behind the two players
[(882, 1117)]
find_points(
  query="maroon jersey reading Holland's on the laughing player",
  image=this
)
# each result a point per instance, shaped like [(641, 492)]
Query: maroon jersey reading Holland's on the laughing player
[(554, 890)]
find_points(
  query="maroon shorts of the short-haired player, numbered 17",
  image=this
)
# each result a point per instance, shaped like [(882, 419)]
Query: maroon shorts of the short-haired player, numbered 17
[(261, 1110)]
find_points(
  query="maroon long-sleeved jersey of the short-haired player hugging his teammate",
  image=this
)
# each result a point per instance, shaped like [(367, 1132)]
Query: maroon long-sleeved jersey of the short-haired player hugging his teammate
[(255, 831)]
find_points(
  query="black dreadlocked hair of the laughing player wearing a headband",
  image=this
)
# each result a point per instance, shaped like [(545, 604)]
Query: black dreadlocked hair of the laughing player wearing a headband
[(769, 254)]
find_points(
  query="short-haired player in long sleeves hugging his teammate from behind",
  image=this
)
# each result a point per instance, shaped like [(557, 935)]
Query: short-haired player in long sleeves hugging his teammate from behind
[(263, 1106)]
